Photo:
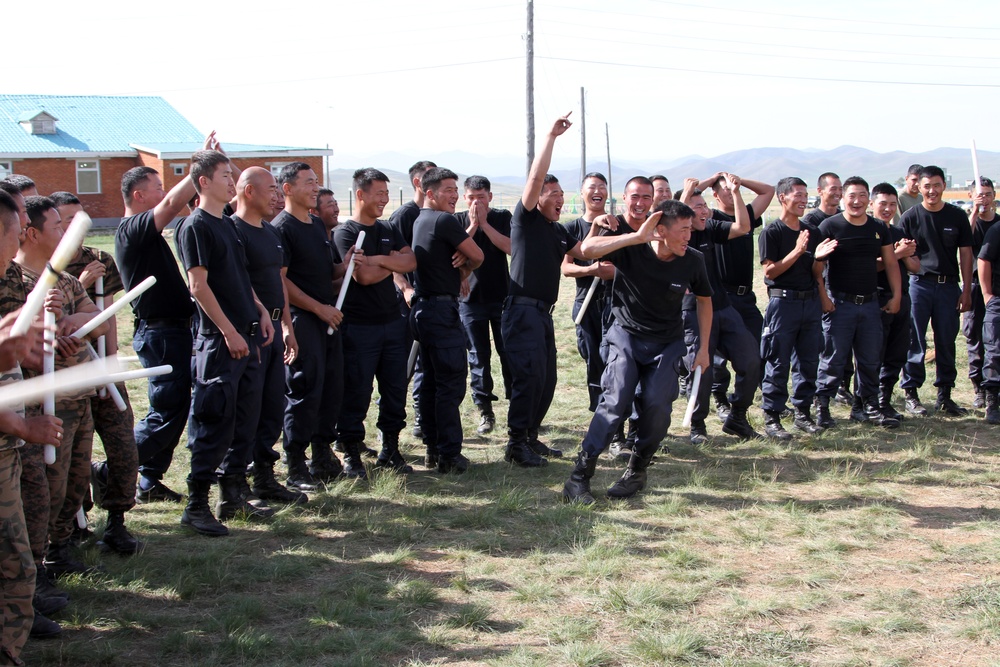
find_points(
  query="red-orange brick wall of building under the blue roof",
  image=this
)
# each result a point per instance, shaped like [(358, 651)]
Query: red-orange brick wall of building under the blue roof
[(55, 174)]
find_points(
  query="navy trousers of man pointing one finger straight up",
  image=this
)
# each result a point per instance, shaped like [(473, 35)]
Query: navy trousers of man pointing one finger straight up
[(530, 341)]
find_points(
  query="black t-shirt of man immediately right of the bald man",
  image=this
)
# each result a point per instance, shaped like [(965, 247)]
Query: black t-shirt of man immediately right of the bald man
[(308, 256)]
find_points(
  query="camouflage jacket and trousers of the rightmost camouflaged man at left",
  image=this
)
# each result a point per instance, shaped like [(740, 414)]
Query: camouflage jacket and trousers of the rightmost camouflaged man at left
[(116, 429)]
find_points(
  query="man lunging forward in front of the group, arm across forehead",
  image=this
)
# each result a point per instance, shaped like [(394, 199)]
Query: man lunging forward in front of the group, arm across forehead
[(654, 270)]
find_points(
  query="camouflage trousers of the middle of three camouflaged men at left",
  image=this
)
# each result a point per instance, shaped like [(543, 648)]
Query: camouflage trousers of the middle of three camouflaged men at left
[(53, 494)]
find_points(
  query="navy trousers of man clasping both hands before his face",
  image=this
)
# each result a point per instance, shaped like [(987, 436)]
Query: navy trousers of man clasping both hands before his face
[(479, 319)]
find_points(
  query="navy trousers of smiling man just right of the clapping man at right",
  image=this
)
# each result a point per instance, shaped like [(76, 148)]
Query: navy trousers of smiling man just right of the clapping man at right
[(851, 328)]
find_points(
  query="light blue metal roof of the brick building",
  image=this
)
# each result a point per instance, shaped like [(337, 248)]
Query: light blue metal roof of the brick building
[(92, 123)]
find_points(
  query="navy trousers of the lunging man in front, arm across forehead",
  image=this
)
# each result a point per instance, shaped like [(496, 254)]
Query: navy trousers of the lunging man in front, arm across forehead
[(632, 361)]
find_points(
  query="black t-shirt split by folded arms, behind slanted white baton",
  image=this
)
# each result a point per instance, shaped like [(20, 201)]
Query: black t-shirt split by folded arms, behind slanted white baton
[(375, 303)]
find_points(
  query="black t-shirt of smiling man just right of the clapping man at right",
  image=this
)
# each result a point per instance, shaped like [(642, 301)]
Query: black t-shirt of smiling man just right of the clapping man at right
[(853, 266)]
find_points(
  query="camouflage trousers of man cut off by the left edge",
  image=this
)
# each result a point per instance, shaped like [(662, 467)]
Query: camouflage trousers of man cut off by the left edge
[(17, 570)]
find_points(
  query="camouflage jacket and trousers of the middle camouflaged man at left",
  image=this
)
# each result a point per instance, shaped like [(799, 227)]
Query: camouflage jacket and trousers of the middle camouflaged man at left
[(53, 494)]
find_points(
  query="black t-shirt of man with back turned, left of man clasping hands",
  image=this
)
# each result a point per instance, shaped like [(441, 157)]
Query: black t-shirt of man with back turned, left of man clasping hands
[(436, 236)]
